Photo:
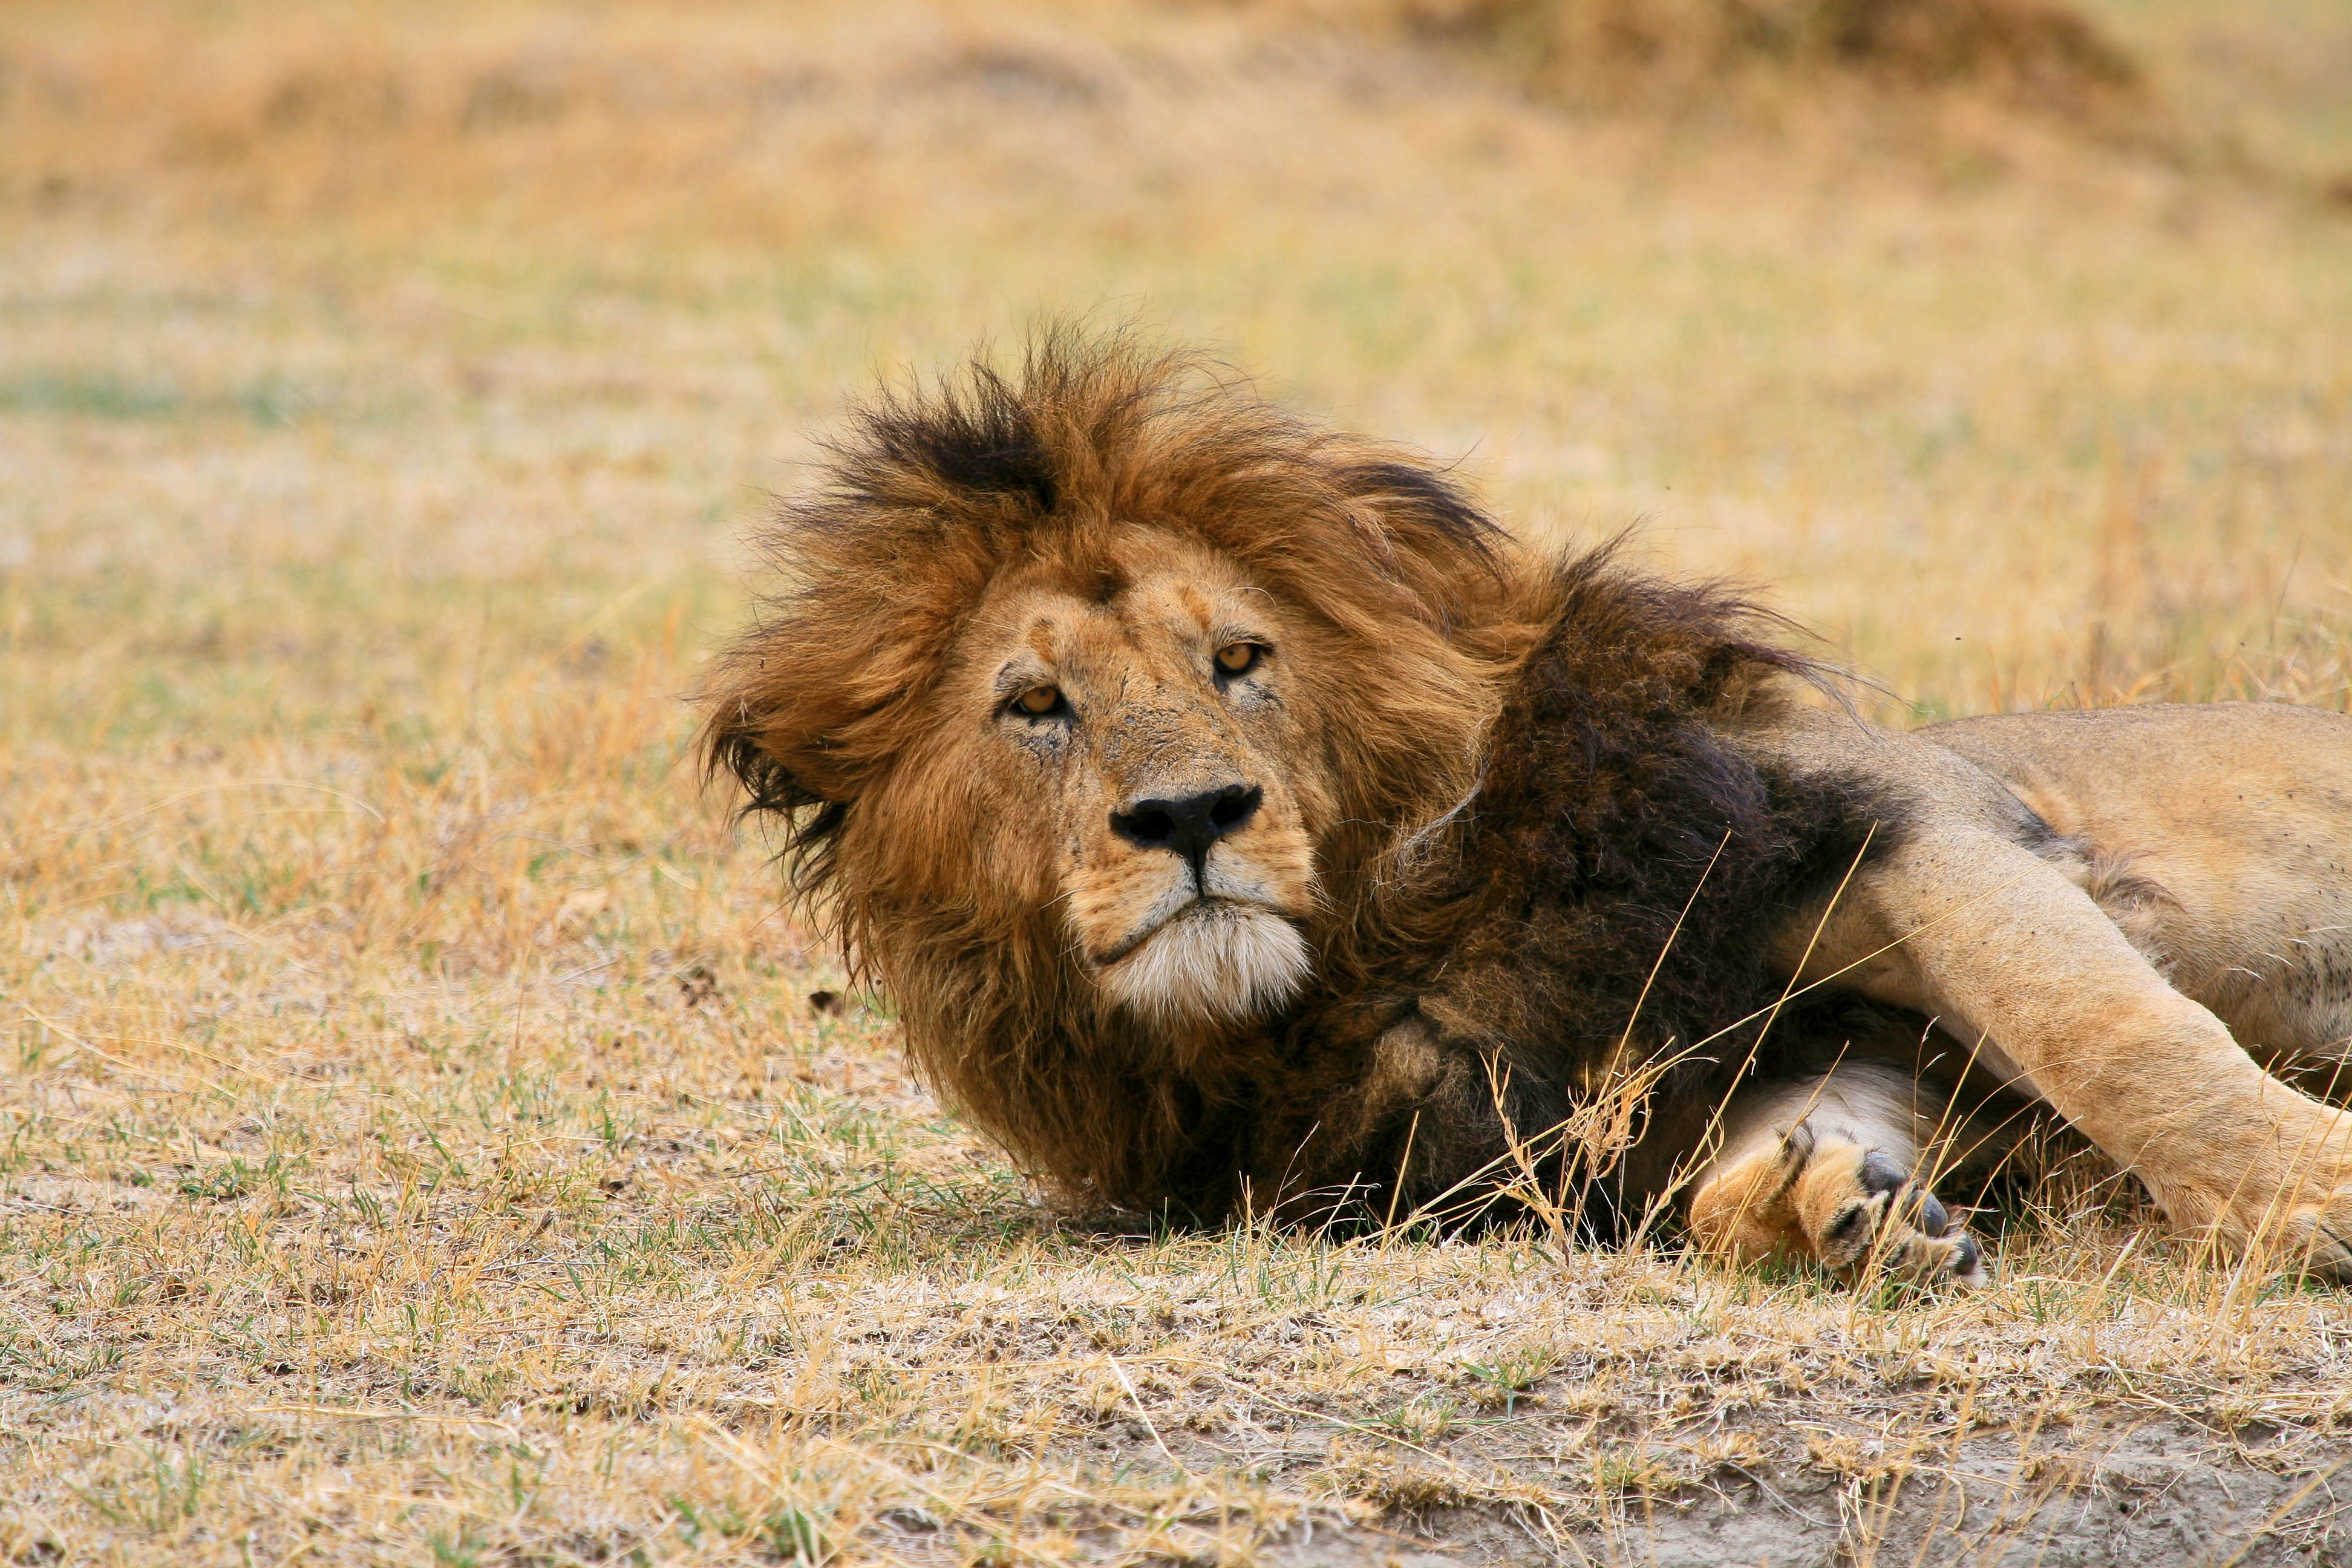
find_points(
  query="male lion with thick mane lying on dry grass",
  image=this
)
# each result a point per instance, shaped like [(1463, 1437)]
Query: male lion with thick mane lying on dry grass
[(1245, 822)]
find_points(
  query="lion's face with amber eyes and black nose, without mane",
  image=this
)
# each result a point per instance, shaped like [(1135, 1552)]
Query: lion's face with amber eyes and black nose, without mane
[(1147, 765)]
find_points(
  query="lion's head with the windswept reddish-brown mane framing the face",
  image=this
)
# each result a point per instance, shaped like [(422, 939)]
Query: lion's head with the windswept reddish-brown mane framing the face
[(1102, 702)]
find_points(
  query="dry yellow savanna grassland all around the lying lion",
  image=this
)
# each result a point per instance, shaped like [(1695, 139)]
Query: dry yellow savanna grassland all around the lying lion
[(420, 1137)]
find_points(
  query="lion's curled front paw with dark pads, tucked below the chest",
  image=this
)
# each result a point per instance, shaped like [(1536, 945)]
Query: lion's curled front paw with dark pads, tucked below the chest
[(1826, 1170)]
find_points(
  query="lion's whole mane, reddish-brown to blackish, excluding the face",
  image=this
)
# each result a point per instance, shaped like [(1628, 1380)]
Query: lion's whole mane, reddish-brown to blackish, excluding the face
[(1549, 866)]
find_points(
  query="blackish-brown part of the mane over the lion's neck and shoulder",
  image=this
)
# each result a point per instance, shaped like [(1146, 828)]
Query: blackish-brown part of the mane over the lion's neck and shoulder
[(1603, 913)]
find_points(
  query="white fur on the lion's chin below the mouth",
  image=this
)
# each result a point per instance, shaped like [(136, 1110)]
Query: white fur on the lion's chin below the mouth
[(1217, 963)]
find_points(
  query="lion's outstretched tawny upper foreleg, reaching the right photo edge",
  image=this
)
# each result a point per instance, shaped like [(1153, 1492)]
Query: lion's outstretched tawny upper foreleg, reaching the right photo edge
[(2003, 949)]
